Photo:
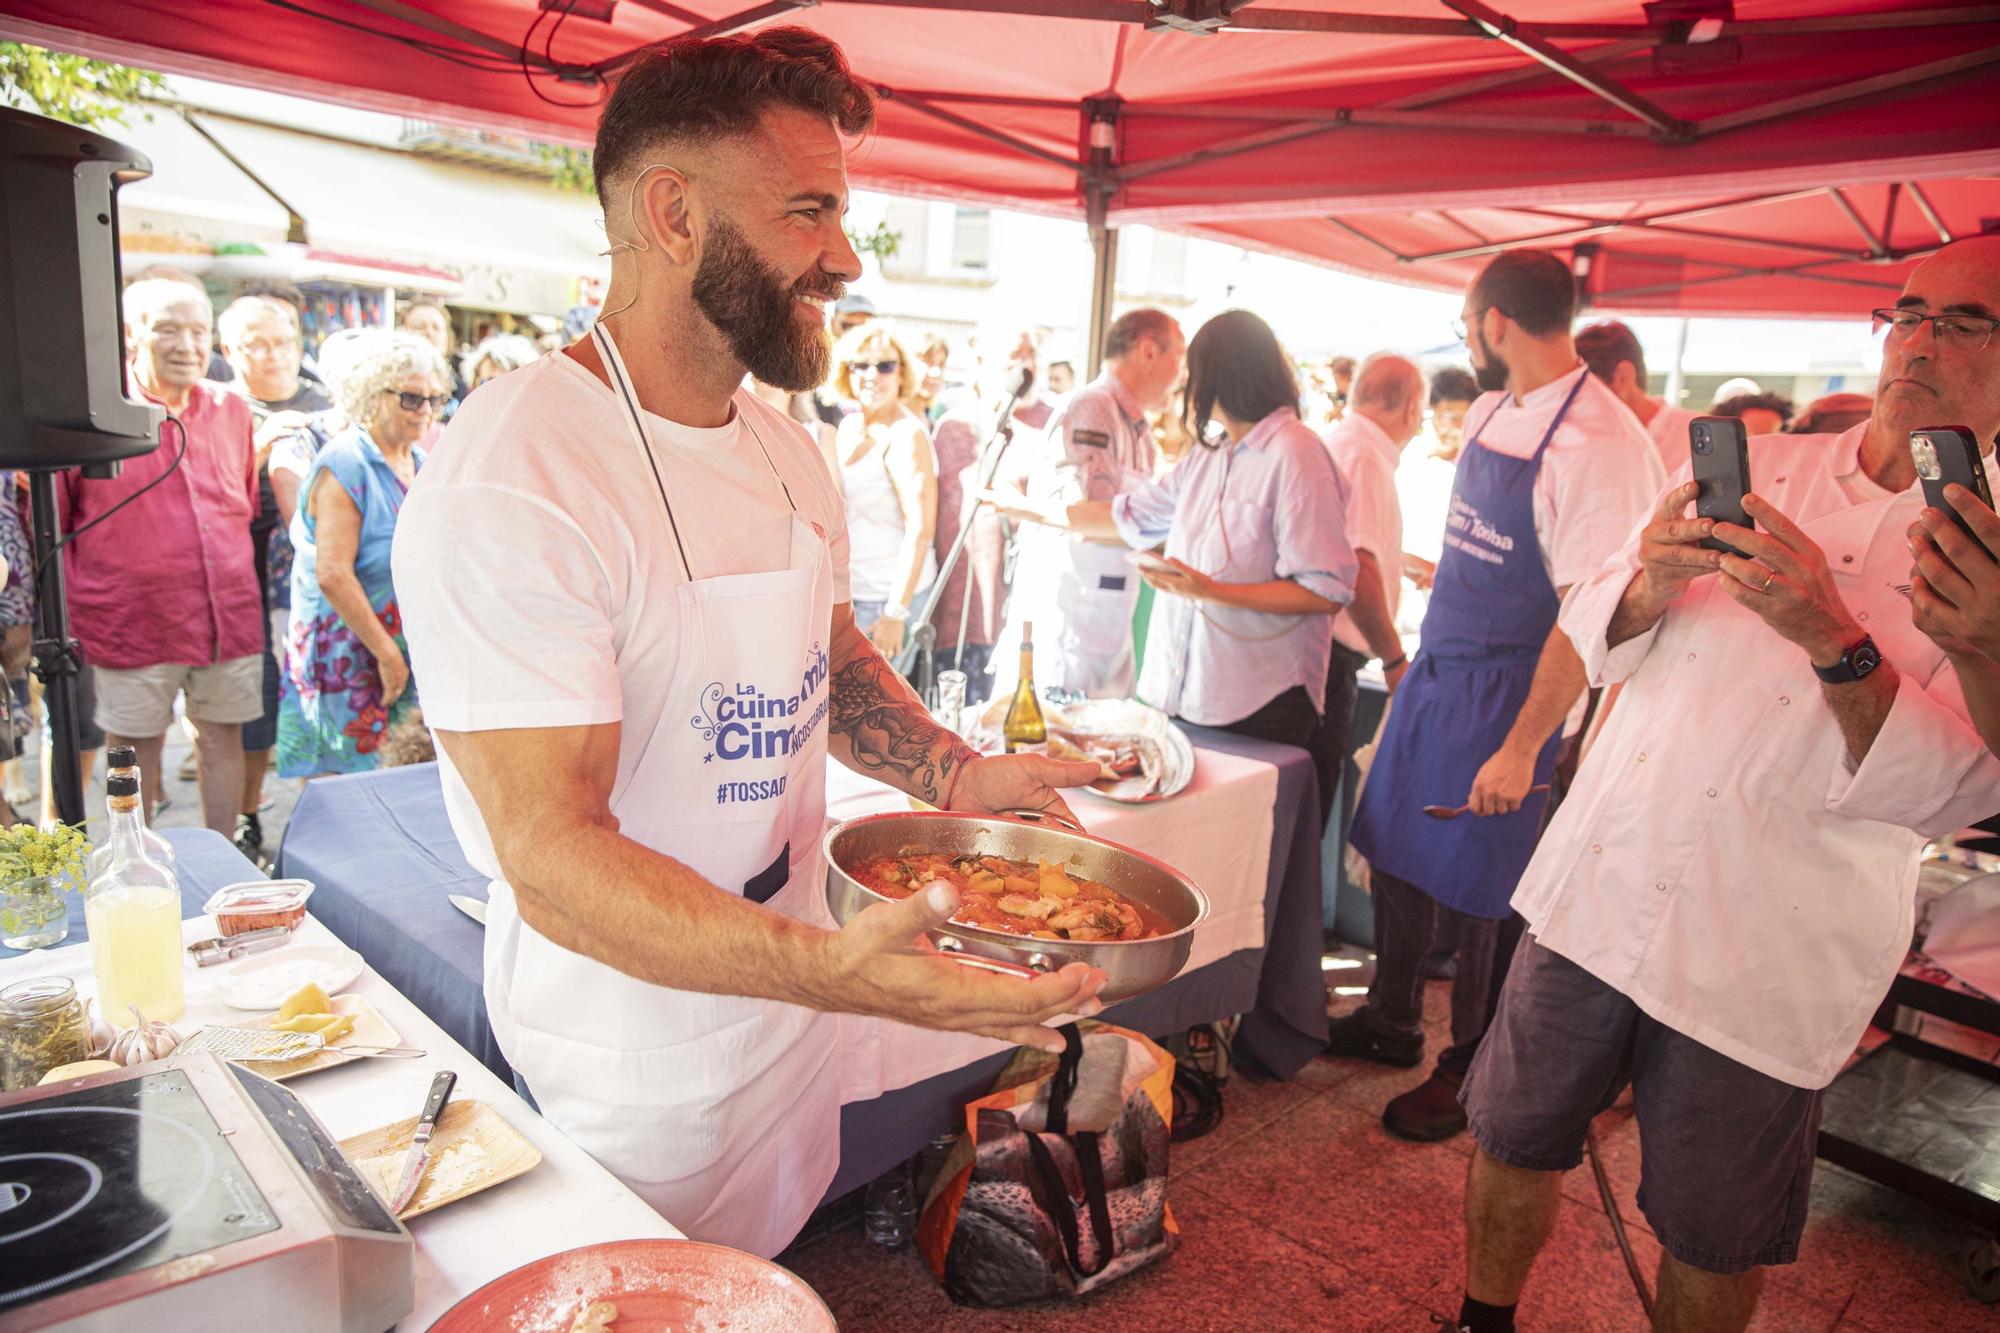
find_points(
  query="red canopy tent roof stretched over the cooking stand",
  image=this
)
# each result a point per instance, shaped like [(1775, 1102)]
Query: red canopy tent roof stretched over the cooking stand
[(1787, 159)]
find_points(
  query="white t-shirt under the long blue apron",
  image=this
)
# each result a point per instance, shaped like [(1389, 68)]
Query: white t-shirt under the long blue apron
[(1599, 477)]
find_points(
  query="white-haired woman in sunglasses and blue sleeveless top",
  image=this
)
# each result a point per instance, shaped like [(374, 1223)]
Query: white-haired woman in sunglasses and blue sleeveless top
[(347, 668)]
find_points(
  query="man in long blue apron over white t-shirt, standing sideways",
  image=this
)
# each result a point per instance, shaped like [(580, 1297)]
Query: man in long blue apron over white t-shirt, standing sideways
[(1555, 475)]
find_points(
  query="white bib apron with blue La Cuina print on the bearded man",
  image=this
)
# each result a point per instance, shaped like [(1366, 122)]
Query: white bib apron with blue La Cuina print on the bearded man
[(721, 1112)]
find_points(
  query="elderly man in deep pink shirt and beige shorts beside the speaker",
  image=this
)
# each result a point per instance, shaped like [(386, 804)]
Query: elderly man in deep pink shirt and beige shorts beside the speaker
[(163, 593)]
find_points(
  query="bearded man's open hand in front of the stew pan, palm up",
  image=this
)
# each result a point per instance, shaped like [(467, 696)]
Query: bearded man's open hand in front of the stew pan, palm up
[(887, 966)]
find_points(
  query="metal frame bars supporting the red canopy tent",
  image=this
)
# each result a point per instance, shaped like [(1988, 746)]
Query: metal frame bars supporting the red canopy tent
[(1101, 173)]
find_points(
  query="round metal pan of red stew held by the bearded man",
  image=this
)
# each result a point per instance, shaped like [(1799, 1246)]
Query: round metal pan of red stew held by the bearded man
[(1059, 892)]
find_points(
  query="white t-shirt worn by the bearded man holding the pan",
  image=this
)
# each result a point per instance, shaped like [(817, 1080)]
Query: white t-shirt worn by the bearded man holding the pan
[(537, 569)]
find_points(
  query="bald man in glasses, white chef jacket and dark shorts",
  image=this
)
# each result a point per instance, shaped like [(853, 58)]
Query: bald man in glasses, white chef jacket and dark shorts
[(1729, 890)]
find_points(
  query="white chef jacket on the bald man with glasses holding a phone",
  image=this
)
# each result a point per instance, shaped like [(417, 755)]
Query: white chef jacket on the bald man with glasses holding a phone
[(1721, 860)]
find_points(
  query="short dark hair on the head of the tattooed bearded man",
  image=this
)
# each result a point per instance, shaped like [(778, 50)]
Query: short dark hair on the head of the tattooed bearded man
[(707, 89)]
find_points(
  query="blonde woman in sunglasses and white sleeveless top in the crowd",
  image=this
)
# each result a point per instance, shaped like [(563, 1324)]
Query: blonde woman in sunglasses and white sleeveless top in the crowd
[(889, 477)]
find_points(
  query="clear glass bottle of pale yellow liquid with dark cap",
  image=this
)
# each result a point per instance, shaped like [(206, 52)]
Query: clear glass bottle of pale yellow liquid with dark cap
[(133, 912)]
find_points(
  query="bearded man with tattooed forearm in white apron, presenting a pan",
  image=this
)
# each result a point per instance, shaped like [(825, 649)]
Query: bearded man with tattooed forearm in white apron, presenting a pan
[(625, 595)]
